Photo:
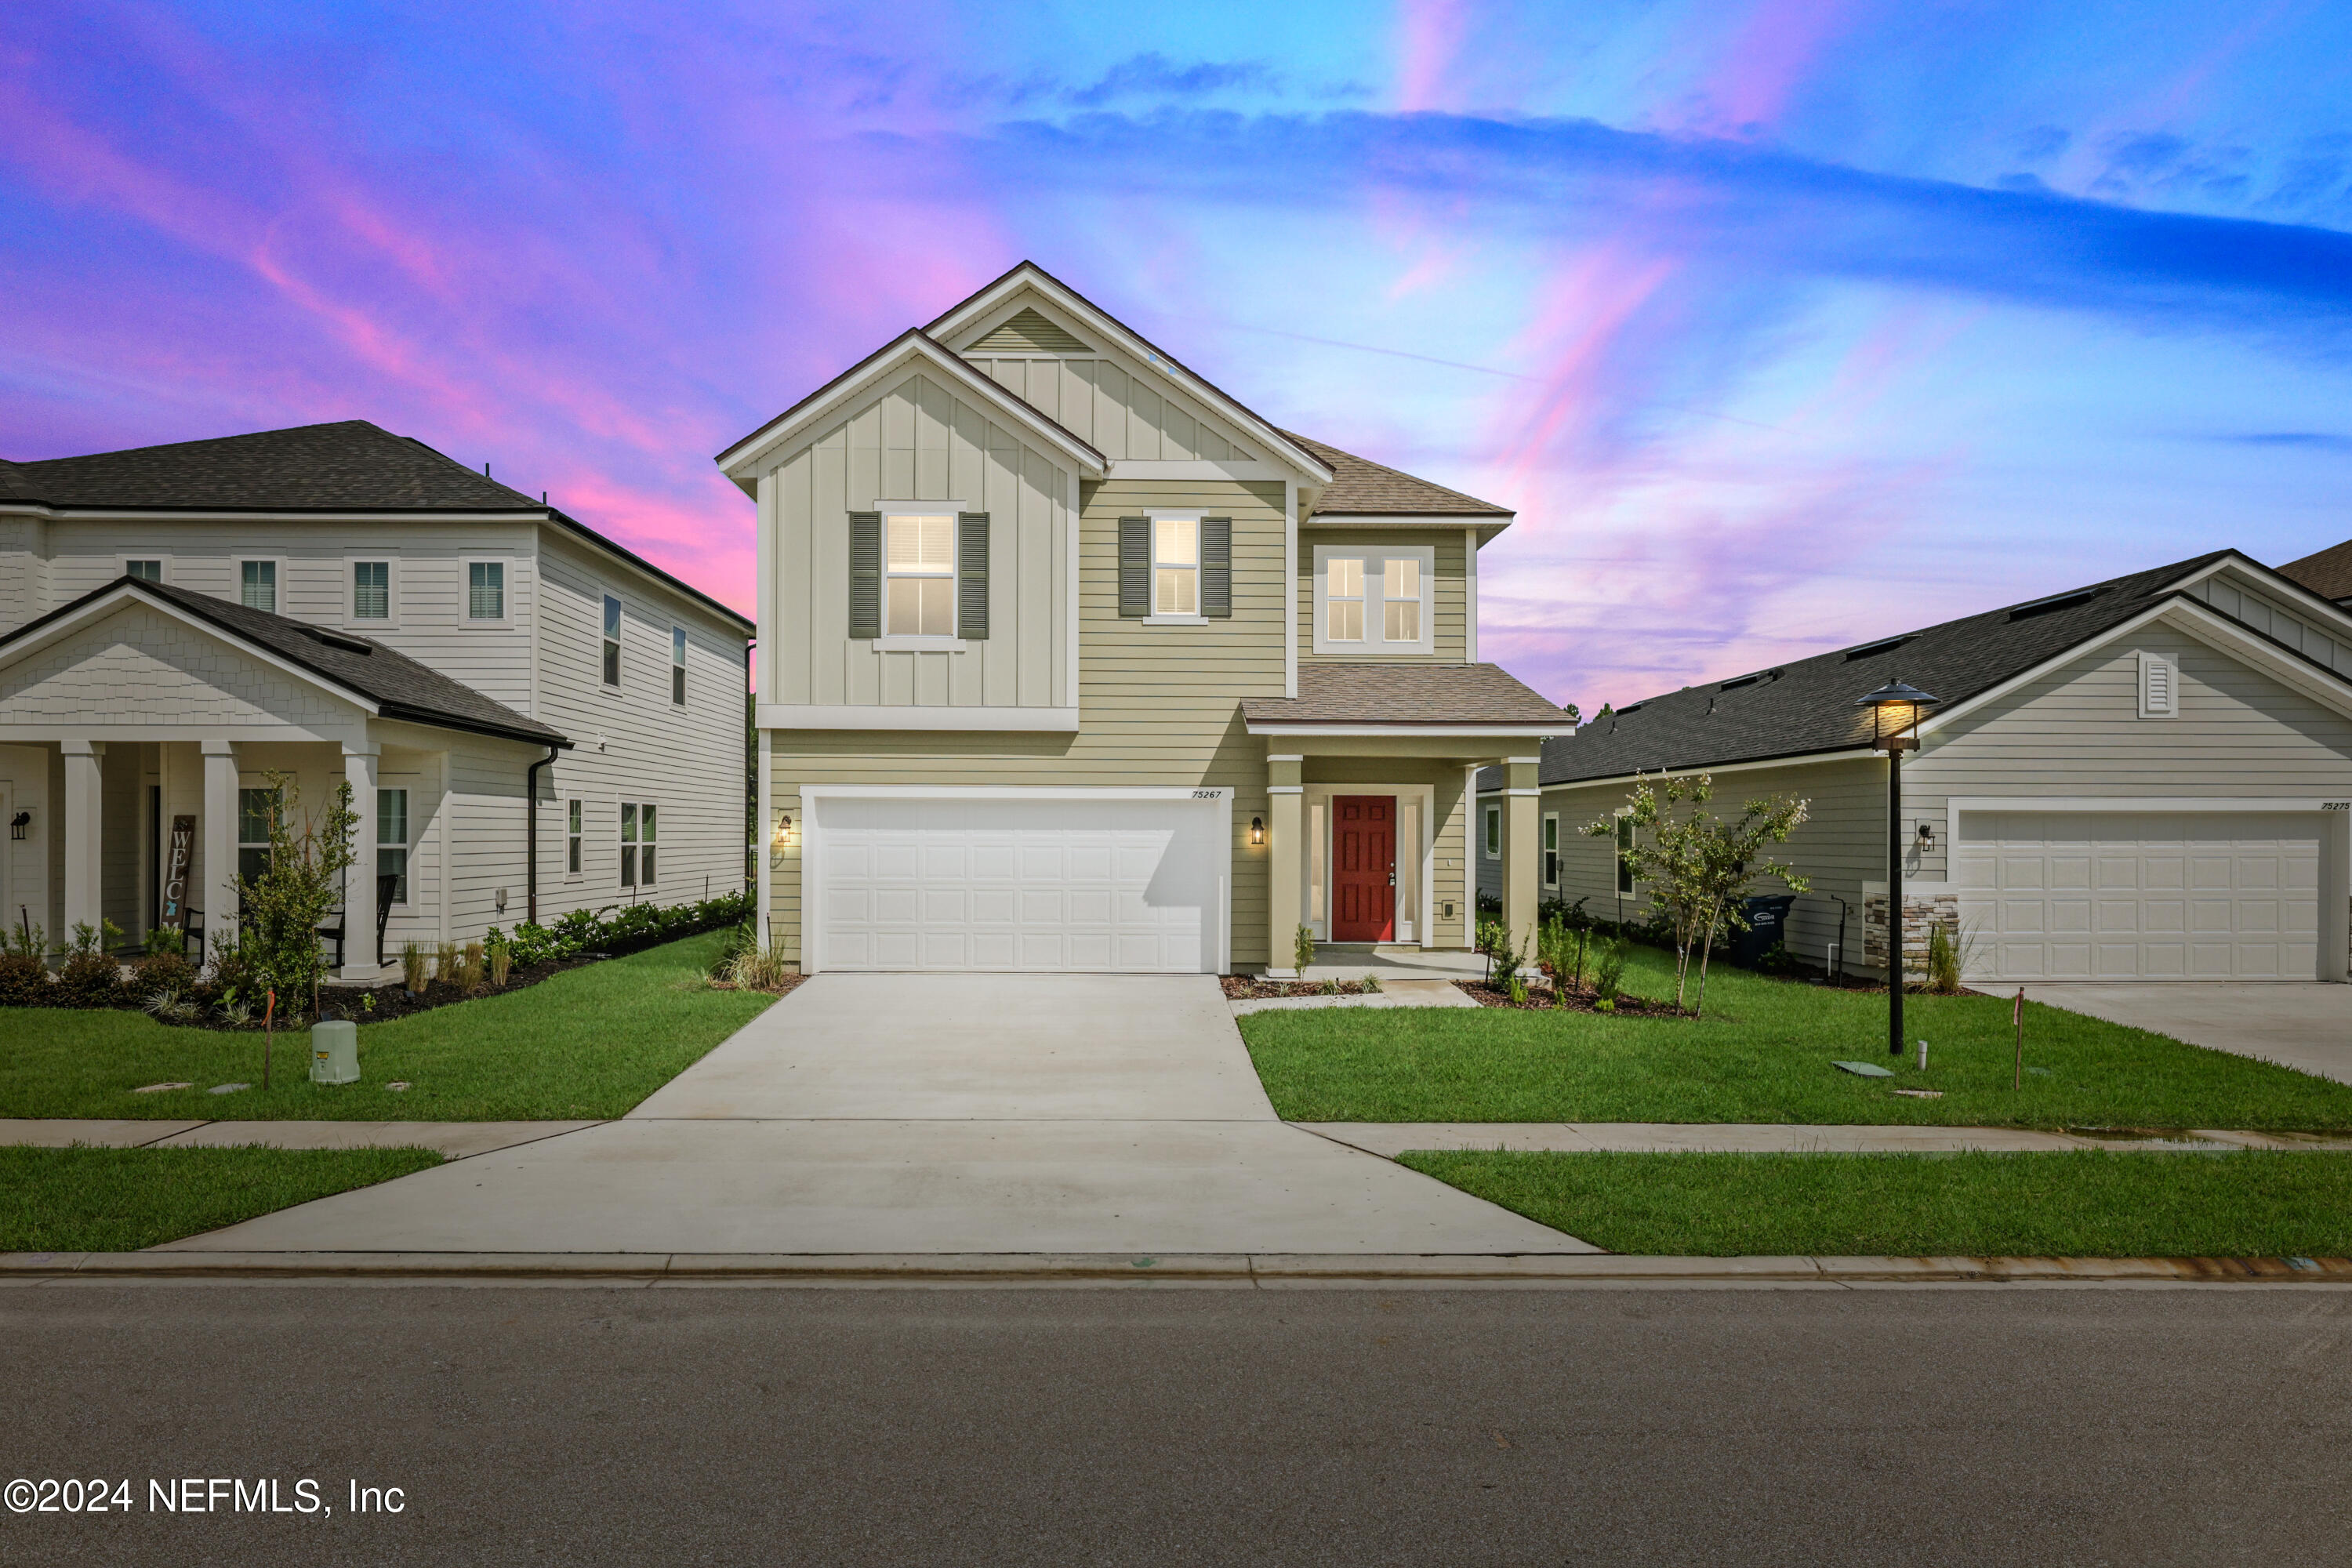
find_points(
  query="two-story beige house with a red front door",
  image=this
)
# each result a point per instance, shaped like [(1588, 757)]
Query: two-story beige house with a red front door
[(1069, 662)]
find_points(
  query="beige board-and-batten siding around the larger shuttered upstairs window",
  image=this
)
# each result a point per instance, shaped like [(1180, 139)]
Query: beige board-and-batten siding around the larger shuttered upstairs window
[(916, 443)]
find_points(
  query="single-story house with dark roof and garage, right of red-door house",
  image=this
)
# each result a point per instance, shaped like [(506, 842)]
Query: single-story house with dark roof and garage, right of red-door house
[(2149, 779)]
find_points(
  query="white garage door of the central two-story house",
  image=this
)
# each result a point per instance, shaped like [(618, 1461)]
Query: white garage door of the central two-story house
[(1050, 885)]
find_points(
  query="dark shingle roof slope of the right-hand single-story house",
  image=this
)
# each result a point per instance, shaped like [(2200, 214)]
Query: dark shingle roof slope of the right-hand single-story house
[(1808, 706)]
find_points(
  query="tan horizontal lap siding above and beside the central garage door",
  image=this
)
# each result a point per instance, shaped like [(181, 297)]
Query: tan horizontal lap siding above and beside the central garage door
[(1158, 704)]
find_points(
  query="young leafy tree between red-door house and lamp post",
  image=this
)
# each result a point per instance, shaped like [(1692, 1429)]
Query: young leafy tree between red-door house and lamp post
[(1697, 866)]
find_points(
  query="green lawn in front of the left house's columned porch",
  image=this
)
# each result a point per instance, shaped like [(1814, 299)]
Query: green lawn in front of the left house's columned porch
[(592, 1043)]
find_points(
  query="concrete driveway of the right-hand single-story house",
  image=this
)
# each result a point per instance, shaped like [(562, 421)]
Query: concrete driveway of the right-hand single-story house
[(2304, 1026)]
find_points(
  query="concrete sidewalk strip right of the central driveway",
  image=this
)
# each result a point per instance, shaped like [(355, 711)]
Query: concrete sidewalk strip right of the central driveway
[(1391, 1139)]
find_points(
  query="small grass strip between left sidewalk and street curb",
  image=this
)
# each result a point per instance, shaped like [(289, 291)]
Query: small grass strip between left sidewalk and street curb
[(121, 1200)]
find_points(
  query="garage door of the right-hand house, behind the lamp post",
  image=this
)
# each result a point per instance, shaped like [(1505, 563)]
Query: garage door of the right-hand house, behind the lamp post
[(2141, 897)]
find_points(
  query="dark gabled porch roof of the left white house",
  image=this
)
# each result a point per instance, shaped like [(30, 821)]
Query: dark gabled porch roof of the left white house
[(394, 683)]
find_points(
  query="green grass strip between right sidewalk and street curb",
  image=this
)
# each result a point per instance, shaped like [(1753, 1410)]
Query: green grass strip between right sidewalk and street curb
[(2250, 1205)]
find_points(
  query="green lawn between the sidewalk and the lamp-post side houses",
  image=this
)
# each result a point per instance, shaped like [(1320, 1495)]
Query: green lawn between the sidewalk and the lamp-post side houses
[(1763, 1054)]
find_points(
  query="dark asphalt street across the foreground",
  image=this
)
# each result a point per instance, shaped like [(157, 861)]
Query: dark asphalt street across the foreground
[(808, 1426)]
